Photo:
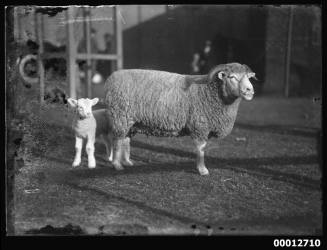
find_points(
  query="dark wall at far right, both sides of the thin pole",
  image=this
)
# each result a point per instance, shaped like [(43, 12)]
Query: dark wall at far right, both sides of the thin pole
[(305, 62)]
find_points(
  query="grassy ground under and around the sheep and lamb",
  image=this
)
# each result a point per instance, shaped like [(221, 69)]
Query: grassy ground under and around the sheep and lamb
[(265, 179)]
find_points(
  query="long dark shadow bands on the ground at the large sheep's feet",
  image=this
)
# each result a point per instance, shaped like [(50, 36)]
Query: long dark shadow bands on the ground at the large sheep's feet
[(241, 165)]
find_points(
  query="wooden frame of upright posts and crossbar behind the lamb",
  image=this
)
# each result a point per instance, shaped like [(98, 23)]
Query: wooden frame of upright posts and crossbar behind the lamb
[(71, 55)]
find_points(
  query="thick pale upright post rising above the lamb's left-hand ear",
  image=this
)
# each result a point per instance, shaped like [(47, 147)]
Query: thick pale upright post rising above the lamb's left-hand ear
[(71, 53)]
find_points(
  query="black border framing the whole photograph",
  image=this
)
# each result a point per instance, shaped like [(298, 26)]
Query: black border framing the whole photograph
[(263, 242)]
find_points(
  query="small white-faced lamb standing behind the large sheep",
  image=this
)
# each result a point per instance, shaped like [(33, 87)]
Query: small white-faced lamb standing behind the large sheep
[(92, 126)]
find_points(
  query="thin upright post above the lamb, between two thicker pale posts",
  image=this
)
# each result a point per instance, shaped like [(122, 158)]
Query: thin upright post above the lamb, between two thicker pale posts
[(88, 52)]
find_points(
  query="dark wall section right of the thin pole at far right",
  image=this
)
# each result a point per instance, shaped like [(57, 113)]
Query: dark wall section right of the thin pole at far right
[(306, 56)]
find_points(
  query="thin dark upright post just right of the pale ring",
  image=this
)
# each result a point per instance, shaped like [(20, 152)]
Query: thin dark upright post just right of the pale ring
[(39, 34)]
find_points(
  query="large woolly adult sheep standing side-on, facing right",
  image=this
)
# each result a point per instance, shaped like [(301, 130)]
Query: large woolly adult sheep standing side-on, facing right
[(161, 103)]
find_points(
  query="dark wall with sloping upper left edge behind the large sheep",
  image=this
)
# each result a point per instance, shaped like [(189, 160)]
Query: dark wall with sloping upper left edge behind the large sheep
[(167, 42)]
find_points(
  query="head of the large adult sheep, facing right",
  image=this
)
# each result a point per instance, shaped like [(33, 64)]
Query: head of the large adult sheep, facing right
[(233, 80)]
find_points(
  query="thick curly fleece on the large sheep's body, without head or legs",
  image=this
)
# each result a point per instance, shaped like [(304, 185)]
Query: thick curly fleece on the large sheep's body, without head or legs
[(167, 104)]
